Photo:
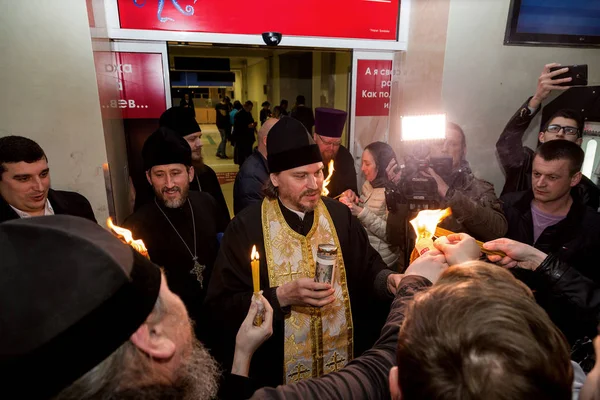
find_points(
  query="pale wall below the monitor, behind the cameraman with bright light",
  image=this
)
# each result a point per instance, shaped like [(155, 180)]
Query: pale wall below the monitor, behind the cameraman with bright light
[(485, 82)]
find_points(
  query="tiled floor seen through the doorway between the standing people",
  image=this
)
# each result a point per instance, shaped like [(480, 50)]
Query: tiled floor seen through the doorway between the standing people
[(210, 141)]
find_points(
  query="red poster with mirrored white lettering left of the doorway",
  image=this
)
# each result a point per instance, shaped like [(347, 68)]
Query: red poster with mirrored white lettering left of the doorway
[(131, 84)]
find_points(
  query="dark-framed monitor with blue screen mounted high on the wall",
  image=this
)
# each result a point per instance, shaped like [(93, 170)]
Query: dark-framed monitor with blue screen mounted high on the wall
[(554, 23)]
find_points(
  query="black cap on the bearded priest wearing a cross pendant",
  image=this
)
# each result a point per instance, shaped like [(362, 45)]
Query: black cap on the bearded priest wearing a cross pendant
[(165, 147)]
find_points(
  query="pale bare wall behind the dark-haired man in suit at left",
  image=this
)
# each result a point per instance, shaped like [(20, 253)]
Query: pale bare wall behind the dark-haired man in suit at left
[(49, 92)]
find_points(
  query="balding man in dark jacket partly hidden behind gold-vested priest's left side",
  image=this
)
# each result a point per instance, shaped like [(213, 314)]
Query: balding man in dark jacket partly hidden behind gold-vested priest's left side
[(249, 181)]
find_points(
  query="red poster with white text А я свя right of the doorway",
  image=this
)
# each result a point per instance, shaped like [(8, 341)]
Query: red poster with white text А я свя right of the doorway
[(373, 84)]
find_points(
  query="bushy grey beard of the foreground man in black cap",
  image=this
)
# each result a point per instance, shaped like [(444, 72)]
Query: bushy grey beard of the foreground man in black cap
[(196, 379)]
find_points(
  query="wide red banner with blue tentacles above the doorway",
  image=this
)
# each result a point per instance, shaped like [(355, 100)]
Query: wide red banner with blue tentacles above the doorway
[(355, 19)]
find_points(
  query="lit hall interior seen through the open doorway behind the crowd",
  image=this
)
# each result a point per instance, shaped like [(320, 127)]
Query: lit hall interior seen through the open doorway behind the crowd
[(206, 74)]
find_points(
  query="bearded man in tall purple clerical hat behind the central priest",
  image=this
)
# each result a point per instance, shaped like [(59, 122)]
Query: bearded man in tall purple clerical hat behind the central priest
[(329, 126)]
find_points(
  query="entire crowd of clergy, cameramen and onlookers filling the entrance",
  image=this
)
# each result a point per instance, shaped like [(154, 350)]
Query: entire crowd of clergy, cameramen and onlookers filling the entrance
[(512, 318)]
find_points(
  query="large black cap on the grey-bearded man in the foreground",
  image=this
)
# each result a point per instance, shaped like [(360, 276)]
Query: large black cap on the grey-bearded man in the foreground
[(70, 295)]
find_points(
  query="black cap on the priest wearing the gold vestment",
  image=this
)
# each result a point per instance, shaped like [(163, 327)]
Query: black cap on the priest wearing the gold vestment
[(289, 145)]
